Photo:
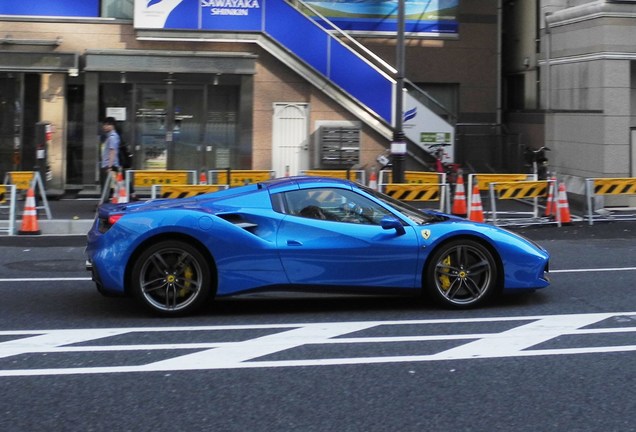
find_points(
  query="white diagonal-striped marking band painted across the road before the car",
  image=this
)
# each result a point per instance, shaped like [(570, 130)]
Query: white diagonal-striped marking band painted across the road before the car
[(523, 339)]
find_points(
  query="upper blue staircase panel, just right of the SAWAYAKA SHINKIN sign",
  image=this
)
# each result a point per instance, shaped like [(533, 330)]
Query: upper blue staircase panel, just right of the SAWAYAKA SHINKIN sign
[(297, 33)]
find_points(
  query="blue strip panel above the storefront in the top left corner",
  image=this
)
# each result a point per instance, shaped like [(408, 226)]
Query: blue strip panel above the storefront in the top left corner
[(64, 8)]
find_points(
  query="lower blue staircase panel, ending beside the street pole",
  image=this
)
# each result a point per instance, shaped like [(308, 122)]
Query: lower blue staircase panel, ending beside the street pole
[(363, 82)]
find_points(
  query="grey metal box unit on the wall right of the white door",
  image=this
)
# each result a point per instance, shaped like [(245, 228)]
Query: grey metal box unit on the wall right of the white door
[(338, 147)]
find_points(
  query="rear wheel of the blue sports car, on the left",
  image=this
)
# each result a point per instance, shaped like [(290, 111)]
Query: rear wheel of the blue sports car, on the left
[(171, 278)]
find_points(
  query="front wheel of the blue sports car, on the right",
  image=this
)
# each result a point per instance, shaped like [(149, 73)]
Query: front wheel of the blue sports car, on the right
[(461, 274)]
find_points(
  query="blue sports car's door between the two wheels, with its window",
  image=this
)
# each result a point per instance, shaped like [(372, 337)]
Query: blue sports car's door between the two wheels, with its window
[(338, 251)]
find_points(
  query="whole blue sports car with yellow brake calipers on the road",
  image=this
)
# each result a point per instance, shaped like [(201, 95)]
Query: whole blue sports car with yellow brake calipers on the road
[(302, 233)]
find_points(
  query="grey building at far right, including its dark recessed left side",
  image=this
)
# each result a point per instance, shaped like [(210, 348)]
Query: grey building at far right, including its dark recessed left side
[(571, 85)]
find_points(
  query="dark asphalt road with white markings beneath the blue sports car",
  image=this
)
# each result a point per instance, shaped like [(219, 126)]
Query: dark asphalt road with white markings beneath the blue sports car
[(557, 359)]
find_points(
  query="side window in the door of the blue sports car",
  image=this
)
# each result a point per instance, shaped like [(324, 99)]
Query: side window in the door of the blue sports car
[(340, 205)]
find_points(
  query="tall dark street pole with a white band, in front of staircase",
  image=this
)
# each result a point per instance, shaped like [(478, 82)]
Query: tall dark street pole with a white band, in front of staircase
[(398, 145)]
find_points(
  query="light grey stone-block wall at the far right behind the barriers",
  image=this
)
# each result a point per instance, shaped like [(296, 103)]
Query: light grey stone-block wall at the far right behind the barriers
[(588, 89)]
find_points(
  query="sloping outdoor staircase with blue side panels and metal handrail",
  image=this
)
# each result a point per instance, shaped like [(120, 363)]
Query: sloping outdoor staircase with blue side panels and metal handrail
[(328, 58)]
